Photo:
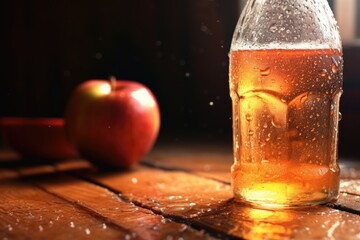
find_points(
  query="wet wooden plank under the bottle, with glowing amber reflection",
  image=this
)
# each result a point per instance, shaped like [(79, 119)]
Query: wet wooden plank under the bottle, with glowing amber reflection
[(206, 203)]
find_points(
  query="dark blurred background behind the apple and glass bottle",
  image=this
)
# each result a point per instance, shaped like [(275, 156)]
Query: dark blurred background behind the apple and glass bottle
[(179, 49)]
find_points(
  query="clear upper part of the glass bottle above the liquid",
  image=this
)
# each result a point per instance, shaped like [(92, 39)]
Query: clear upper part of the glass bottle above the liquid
[(286, 24)]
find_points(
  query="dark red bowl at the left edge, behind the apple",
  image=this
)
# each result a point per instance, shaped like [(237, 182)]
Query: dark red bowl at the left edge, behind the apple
[(37, 137)]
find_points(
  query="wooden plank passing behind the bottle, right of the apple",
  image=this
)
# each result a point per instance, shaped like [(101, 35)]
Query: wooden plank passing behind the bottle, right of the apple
[(214, 162)]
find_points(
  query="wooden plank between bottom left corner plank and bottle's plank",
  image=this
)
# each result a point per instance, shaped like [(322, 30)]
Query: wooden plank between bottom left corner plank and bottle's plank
[(109, 206)]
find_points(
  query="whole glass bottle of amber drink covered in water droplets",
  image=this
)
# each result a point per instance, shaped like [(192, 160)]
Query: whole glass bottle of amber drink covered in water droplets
[(286, 71)]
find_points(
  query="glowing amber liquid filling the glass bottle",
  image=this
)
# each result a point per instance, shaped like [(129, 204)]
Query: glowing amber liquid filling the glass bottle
[(285, 125)]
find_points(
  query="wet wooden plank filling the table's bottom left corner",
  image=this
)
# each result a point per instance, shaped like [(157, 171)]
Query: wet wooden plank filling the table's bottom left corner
[(27, 212)]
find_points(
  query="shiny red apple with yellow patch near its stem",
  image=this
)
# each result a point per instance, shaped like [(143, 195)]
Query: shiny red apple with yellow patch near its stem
[(112, 123)]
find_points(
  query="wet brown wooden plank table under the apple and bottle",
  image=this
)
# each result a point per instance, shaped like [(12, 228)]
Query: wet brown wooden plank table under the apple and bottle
[(178, 192)]
